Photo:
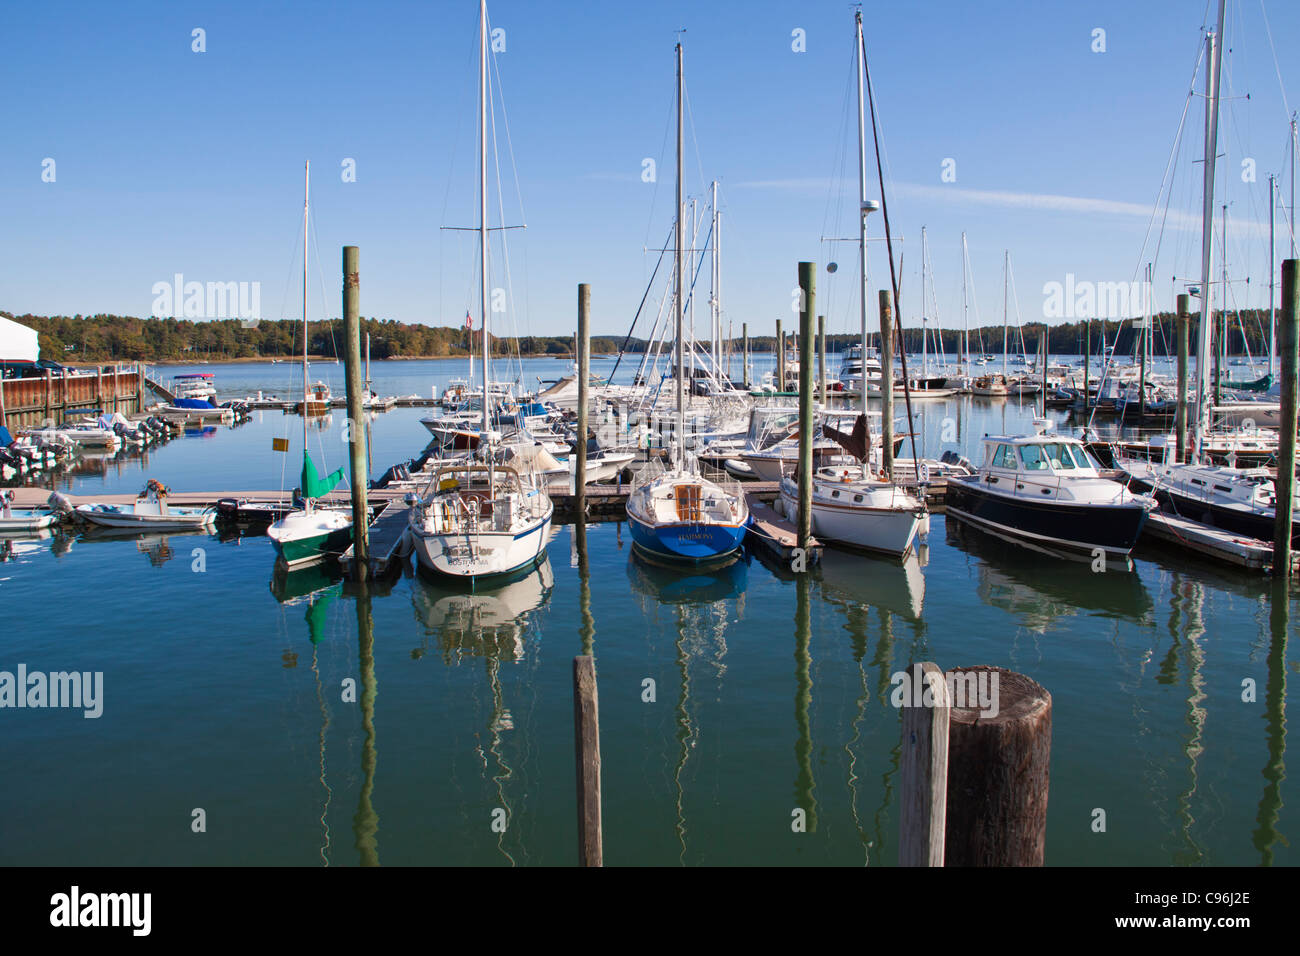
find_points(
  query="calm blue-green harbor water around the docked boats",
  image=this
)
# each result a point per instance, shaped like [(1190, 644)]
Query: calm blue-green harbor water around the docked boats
[(226, 685)]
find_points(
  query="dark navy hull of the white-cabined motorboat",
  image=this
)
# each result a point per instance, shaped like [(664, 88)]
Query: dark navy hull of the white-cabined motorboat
[(1078, 530)]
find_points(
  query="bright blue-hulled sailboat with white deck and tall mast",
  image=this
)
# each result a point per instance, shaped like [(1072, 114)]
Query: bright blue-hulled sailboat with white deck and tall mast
[(679, 516)]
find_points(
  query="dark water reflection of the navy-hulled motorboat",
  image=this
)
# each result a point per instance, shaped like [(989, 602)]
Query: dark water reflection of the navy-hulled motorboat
[(1039, 592)]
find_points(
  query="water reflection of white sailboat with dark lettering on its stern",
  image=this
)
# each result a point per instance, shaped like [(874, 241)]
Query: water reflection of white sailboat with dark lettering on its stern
[(499, 626)]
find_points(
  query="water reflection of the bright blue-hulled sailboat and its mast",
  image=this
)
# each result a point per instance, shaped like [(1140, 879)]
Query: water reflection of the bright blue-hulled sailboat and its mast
[(700, 602)]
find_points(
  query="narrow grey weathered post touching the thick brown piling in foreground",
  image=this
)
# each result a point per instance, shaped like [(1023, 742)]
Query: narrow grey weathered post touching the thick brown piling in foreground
[(925, 768)]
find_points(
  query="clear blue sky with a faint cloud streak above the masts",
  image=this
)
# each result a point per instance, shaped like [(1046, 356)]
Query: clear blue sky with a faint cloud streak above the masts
[(170, 161)]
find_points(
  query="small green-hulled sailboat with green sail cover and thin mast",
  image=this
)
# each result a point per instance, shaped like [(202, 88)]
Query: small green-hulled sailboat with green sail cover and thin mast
[(309, 534)]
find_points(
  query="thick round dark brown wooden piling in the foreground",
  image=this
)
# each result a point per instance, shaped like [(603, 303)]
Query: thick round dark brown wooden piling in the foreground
[(999, 756)]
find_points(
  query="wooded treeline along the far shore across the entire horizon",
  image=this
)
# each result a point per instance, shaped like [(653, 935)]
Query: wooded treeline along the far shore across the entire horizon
[(114, 338)]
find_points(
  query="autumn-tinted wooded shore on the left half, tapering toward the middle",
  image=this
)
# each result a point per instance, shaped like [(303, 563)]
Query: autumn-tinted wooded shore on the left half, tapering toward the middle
[(118, 338)]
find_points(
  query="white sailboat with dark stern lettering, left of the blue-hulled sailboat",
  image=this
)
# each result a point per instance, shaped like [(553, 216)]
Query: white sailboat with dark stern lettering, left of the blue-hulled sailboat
[(480, 517)]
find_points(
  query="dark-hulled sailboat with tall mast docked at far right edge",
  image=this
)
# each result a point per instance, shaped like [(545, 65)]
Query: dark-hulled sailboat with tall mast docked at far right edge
[(1238, 500)]
